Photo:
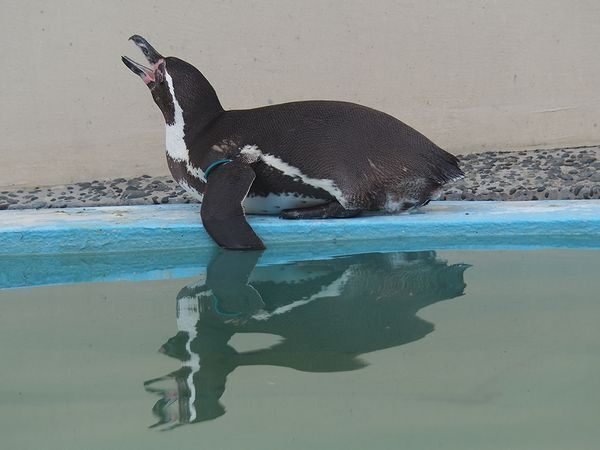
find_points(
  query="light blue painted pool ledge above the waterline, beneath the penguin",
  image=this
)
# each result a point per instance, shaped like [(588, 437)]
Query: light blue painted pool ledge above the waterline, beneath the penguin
[(468, 225)]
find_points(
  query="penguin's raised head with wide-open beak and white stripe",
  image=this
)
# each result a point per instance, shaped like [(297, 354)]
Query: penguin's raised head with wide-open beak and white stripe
[(173, 82)]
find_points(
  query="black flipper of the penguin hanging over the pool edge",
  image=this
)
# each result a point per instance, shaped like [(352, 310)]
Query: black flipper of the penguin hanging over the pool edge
[(222, 212)]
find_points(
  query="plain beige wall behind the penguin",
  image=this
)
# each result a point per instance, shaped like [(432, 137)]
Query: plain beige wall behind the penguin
[(470, 74)]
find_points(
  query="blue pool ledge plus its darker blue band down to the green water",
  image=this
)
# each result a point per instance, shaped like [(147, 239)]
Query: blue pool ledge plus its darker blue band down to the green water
[(46, 247)]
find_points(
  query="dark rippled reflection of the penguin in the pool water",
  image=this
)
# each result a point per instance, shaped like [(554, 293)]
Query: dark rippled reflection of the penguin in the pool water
[(327, 313)]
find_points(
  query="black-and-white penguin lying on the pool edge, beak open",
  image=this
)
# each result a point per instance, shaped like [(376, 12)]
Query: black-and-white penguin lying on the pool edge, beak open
[(302, 160)]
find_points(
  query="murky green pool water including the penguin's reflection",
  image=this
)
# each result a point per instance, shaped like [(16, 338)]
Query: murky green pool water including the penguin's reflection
[(446, 350)]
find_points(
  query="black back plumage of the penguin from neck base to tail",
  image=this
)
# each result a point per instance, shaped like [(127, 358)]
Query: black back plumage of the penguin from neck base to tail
[(367, 153)]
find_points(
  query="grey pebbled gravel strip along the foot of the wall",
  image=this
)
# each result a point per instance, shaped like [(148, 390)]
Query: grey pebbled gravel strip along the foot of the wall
[(555, 174)]
